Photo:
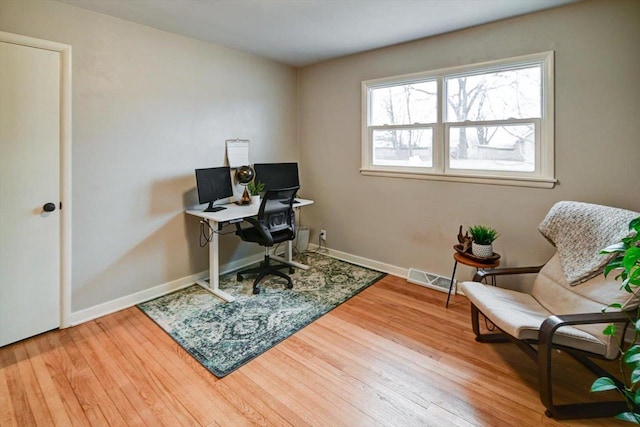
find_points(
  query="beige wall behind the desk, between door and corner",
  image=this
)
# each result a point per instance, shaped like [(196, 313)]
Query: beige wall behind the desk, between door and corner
[(148, 108)]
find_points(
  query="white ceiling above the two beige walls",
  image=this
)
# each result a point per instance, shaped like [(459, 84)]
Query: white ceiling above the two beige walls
[(302, 32)]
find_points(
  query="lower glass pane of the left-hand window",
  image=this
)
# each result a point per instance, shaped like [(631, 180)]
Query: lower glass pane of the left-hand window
[(403, 147)]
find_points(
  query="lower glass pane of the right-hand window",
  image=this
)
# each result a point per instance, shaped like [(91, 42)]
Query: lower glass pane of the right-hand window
[(493, 148)]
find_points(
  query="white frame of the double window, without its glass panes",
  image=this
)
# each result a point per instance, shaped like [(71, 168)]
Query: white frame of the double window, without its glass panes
[(542, 177)]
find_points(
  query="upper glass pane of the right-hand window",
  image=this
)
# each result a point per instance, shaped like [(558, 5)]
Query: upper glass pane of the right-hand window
[(498, 95)]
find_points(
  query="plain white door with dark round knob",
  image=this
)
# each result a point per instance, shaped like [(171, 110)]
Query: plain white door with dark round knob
[(29, 179)]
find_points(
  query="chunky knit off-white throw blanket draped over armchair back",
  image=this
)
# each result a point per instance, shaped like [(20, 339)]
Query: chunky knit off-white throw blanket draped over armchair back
[(580, 231)]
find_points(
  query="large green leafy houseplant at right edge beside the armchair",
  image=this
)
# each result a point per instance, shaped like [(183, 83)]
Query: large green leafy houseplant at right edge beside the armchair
[(627, 263)]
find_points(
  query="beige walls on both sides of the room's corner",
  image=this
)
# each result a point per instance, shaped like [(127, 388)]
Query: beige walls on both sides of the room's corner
[(150, 106)]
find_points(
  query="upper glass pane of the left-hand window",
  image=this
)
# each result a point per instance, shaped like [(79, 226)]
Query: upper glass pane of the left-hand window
[(404, 104)]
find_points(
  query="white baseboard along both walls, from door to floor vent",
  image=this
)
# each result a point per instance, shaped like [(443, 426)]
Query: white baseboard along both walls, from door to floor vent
[(121, 303)]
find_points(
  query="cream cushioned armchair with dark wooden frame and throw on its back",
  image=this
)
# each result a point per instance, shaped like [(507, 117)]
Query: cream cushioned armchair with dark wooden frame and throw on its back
[(563, 310)]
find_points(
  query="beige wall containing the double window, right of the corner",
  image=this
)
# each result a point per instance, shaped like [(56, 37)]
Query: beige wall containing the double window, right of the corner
[(413, 223)]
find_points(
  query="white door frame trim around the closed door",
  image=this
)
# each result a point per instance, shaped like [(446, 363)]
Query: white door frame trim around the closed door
[(65, 162)]
